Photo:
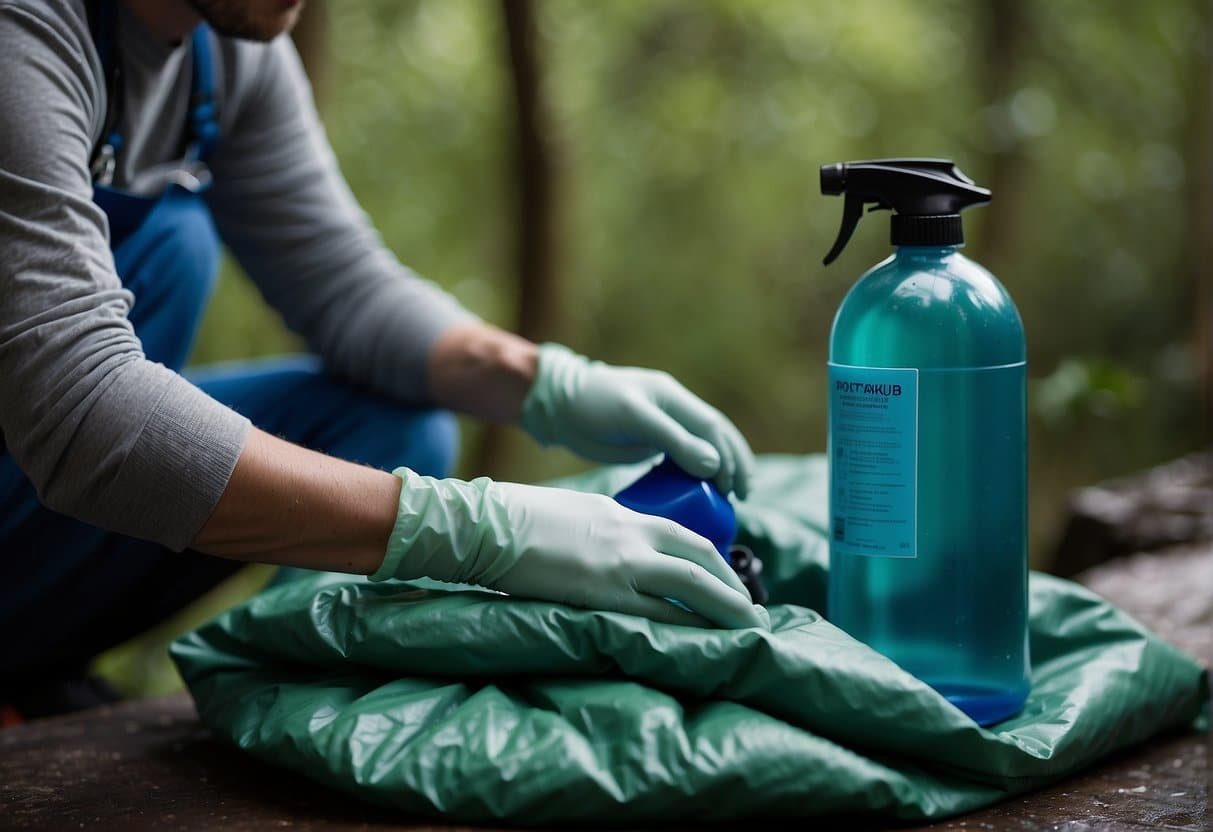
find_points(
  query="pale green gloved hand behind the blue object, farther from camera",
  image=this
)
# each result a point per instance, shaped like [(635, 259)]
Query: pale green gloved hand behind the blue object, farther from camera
[(613, 414)]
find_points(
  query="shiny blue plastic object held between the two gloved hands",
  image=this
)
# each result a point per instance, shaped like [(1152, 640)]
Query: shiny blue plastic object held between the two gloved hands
[(671, 493)]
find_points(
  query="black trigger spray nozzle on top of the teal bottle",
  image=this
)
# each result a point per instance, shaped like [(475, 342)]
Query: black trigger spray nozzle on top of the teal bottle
[(925, 195)]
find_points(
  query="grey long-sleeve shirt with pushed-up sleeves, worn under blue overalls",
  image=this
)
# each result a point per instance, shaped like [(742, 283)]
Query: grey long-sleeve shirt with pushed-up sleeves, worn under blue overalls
[(104, 434)]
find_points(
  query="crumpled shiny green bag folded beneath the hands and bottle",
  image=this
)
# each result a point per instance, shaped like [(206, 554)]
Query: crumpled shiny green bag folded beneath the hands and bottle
[(472, 706)]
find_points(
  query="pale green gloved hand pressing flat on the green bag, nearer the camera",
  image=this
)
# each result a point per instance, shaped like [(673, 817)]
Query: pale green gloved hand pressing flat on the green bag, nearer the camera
[(583, 550)]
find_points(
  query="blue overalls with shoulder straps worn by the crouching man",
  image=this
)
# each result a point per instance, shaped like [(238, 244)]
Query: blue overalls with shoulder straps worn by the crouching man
[(69, 590)]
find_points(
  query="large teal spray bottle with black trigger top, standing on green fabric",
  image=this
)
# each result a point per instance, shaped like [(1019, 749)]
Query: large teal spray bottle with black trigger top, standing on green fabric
[(927, 443)]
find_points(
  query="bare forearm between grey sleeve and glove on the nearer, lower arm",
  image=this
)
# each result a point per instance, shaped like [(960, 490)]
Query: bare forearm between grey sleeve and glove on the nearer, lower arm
[(287, 505)]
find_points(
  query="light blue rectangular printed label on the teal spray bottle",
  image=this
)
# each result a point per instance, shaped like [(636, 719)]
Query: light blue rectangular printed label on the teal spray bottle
[(874, 461)]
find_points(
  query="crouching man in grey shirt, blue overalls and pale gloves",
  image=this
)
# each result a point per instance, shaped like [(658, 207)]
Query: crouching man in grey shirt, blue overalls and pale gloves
[(135, 135)]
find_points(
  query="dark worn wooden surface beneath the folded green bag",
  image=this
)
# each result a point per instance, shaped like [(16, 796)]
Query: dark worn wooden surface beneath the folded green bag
[(152, 766)]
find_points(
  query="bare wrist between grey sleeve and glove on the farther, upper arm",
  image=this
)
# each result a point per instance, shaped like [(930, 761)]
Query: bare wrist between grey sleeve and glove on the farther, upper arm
[(483, 372)]
